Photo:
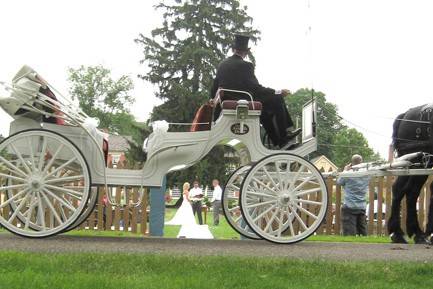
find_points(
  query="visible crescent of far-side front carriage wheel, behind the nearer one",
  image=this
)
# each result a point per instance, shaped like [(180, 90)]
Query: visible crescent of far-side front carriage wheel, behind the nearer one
[(230, 202)]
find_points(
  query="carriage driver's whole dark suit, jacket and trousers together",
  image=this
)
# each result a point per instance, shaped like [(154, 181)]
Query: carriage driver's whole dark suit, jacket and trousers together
[(237, 74)]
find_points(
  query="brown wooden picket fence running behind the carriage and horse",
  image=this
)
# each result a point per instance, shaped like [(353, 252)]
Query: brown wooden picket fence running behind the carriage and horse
[(129, 218)]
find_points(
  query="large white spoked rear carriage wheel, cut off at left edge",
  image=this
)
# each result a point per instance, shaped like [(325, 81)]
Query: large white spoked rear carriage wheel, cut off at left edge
[(44, 183)]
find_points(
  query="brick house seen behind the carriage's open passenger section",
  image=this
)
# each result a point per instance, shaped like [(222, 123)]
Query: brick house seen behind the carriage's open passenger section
[(118, 145)]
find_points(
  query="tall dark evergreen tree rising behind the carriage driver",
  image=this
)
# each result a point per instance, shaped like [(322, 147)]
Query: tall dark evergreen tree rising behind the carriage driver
[(182, 56)]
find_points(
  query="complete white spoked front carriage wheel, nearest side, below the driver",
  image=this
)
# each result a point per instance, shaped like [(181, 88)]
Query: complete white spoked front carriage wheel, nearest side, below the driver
[(284, 198)]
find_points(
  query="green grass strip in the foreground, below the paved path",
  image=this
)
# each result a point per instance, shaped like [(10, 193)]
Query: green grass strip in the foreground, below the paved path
[(85, 270)]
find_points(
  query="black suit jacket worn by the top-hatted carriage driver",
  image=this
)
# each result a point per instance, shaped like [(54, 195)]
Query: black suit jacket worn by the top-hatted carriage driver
[(235, 73)]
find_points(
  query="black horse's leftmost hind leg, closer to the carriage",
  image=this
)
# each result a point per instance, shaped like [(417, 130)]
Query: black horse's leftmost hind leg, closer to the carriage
[(394, 226)]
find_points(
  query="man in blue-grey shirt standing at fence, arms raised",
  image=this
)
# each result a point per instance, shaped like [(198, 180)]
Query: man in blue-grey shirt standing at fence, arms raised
[(355, 192)]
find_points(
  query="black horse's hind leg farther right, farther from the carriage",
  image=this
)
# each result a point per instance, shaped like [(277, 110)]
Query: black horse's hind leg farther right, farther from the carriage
[(413, 190)]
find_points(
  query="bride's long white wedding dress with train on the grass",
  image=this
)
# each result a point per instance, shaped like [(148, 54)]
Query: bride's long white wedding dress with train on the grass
[(189, 228)]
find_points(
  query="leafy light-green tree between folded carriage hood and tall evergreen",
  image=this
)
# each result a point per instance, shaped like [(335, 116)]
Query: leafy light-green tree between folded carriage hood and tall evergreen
[(101, 96)]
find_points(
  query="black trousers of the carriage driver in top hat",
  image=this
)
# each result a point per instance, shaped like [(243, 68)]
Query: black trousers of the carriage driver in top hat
[(275, 117)]
